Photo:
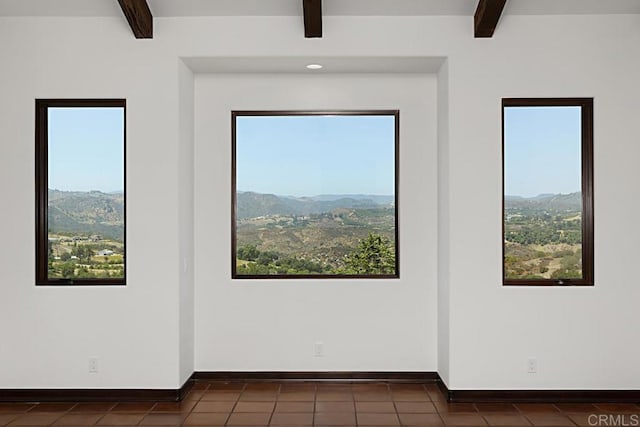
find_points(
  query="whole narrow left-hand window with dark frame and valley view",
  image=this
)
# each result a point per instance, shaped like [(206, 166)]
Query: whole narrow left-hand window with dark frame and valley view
[(80, 192)]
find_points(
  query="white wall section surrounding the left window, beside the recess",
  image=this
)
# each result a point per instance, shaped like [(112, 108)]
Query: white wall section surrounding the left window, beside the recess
[(48, 334)]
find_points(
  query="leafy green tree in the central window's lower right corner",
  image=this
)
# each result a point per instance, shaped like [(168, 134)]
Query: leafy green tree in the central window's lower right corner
[(374, 255)]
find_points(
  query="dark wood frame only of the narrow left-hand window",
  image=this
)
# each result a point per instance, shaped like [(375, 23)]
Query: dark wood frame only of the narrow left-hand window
[(41, 178)]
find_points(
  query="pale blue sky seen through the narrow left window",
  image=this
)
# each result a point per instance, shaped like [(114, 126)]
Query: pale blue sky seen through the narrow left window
[(86, 149)]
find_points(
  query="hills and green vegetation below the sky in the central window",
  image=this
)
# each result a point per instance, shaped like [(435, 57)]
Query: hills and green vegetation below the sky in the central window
[(317, 235)]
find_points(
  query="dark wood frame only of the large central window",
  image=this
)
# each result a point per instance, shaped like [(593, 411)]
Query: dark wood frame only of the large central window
[(239, 113)]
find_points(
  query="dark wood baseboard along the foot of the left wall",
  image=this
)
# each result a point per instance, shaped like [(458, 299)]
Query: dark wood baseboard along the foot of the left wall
[(96, 395)]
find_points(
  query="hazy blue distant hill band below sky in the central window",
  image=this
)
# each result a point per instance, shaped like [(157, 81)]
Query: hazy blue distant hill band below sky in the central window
[(252, 205)]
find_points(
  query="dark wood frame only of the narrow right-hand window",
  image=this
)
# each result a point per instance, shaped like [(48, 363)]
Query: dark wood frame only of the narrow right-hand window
[(586, 105)]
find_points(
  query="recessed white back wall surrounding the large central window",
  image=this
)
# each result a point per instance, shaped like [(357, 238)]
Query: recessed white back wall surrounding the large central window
[(271, 325)]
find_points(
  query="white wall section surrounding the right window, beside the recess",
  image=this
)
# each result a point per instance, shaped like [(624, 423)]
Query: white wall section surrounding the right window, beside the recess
[(581, 336)]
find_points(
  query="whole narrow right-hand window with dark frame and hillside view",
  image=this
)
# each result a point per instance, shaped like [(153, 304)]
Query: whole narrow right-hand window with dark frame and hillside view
[(548, 191)]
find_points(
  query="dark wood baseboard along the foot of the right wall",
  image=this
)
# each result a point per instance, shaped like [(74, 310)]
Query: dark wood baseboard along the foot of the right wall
[(540, 396)]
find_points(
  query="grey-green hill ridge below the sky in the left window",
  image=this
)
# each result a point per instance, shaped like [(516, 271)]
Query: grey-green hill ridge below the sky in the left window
[(91, 212)]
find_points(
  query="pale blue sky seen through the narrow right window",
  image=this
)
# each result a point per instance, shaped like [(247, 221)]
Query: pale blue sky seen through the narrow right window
[(542, 150)]
